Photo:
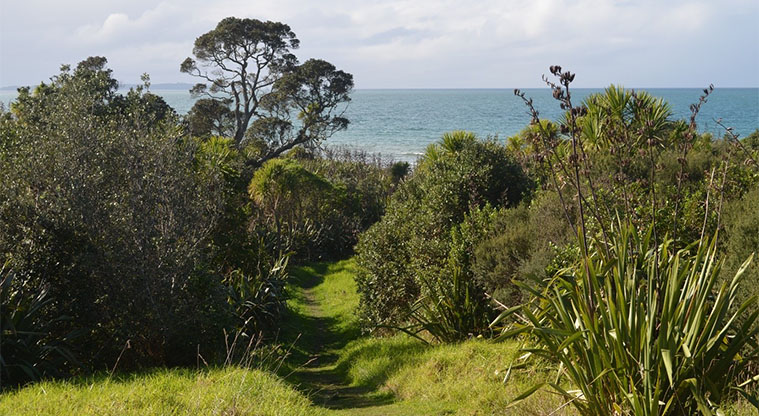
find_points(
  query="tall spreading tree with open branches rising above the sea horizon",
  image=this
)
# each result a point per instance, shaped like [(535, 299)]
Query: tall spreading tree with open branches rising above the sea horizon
[(249, 62)]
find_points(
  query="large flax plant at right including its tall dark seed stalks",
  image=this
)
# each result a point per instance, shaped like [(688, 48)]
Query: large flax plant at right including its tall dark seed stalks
[(638, 324)]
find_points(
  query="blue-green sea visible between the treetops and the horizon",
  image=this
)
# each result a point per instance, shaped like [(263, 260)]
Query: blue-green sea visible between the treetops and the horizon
[(399, 124)]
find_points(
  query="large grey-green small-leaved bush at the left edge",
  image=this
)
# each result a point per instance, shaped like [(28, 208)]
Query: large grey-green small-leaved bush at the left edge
[(102, 207)]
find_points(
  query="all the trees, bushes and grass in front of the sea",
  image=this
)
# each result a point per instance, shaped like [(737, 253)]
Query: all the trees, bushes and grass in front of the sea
[(226, 262)]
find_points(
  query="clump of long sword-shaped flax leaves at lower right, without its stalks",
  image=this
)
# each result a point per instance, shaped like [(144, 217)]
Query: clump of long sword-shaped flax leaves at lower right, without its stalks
[(658, 337)]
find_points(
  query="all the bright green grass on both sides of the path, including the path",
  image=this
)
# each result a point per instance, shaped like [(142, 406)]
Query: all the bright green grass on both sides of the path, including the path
[(345, 374)]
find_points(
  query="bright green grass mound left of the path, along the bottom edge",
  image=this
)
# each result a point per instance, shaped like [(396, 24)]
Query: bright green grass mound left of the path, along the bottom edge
[(230, 391)]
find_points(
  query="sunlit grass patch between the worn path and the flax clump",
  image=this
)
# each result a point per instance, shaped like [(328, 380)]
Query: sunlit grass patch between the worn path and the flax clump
[(464, 378)]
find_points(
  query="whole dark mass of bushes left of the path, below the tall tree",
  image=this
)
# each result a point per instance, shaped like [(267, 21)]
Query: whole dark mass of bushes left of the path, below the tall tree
[(124, 231)]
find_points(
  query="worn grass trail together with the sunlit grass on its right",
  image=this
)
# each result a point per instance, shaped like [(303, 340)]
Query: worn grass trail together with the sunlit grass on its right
[(343, 372)]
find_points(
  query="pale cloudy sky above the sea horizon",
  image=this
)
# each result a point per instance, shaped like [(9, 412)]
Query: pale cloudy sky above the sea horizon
[(407, 44)]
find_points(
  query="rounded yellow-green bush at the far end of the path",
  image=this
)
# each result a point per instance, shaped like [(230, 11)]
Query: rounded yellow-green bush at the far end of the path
[(315, 204)]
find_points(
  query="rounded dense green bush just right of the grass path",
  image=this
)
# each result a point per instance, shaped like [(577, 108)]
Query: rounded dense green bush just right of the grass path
[(409, 255)]
